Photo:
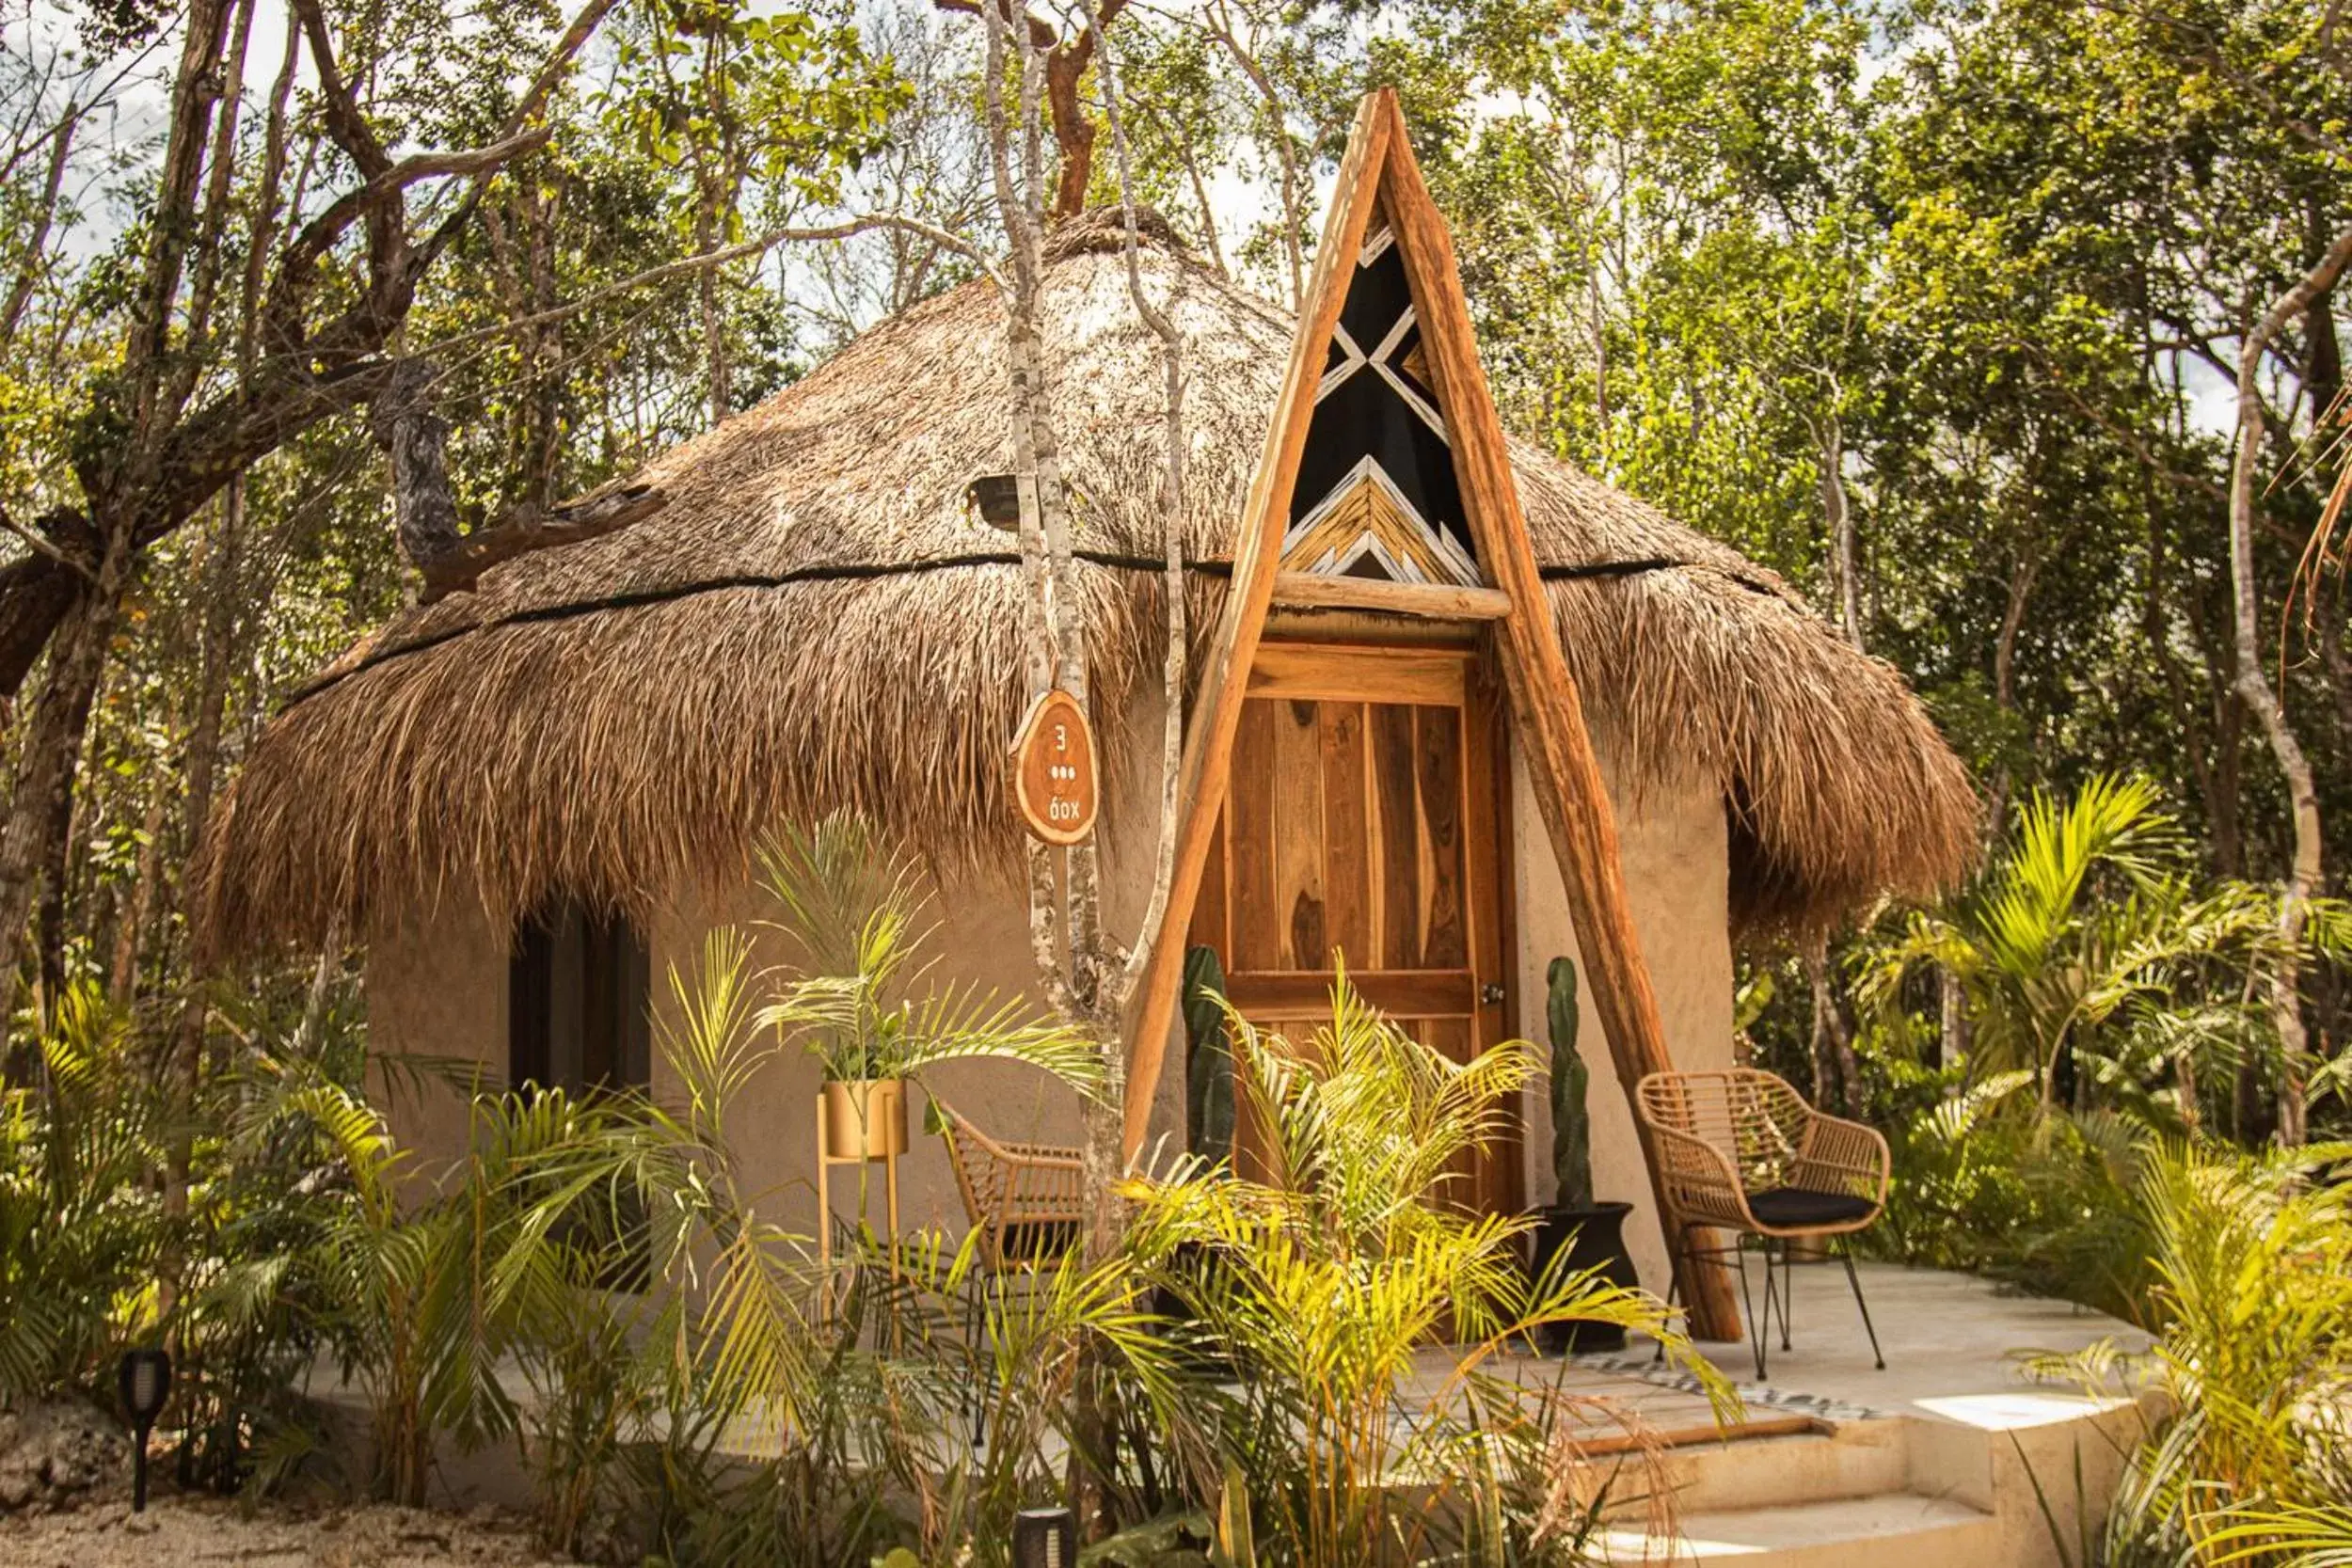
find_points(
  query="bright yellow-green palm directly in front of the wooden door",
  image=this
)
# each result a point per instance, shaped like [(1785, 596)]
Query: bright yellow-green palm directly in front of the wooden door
[(1328, 1282)]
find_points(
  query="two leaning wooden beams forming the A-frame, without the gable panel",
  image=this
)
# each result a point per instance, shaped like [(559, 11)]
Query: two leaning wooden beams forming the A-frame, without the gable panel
[(1546, 709)]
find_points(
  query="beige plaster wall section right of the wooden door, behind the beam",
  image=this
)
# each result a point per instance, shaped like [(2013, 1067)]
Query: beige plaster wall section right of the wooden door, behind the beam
[(1678, 866)]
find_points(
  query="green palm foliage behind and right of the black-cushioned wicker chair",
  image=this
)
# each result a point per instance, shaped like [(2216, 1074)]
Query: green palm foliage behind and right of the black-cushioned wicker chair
[(2109, 996)]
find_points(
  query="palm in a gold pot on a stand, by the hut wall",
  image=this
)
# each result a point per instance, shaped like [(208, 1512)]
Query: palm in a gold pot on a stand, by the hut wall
[(857, 998)]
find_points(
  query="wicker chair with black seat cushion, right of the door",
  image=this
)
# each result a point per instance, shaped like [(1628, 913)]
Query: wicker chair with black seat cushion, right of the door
[(1742, 1151)]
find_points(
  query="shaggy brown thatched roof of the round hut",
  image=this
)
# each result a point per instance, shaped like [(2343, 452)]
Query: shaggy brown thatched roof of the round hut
[(817, 619)]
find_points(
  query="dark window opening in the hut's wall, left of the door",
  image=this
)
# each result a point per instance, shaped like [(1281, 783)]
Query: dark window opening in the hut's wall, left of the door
[(577, 993)]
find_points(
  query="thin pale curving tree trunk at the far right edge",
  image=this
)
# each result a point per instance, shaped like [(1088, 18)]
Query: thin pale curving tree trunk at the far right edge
[(2261, 699)]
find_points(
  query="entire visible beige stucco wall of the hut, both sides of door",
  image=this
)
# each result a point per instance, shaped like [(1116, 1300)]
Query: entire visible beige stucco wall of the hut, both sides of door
[(439, 991)]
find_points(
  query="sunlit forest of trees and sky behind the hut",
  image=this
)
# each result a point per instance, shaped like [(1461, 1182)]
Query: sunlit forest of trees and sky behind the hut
[(1956, 314)]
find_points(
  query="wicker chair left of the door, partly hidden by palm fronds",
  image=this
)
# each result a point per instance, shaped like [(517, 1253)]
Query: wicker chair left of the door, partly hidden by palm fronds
[(1027, 1209)]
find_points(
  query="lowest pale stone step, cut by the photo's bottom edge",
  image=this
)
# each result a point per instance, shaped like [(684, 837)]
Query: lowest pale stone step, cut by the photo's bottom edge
[(1880, 1532)]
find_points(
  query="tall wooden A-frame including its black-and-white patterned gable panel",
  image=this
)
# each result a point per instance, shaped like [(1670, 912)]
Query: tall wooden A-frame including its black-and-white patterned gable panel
[(1387, 474)]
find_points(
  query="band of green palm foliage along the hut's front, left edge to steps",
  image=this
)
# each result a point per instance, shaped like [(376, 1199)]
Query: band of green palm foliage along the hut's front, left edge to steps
[(596, 1287)]
